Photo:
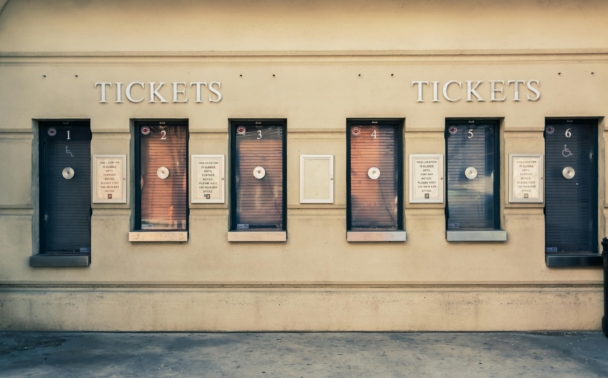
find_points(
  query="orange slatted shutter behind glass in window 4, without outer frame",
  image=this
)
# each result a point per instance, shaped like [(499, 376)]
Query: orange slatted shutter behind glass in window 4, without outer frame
[(374, 203)]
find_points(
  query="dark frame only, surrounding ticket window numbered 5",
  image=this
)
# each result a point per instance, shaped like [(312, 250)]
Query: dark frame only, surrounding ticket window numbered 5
[(497, 163)]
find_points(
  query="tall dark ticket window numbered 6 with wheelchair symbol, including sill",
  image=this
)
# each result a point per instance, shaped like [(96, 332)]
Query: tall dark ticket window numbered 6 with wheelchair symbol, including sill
[(571, 194)]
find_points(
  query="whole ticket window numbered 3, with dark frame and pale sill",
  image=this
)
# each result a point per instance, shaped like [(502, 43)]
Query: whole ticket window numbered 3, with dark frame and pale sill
[(258, 189)]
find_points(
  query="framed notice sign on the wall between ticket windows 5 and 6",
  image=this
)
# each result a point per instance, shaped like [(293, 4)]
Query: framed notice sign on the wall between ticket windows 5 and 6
[(526, 178)]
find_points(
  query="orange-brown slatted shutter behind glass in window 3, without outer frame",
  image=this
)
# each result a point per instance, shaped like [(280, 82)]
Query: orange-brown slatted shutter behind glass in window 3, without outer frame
[(259, 201)]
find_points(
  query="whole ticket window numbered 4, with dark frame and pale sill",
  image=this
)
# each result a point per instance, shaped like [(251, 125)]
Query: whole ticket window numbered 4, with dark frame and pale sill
[(374, 203)]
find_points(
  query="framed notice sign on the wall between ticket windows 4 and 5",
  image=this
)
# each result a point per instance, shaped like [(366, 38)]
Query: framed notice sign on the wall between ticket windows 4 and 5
[(426, 178)]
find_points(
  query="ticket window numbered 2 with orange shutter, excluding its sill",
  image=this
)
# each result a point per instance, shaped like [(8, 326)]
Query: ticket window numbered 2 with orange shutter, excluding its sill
[(161, 165)]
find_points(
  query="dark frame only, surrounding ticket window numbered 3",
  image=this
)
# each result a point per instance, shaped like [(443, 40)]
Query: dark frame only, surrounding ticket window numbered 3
[(233, 123)]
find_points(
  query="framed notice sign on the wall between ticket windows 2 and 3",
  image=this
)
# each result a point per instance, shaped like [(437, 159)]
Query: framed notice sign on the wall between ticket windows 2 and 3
[(207, 179)]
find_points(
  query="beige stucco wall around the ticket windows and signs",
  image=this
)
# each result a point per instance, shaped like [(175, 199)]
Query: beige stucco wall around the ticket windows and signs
[(331, 61)]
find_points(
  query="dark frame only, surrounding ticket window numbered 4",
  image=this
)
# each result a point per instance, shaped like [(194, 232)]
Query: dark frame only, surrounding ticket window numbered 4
[(400, 129)]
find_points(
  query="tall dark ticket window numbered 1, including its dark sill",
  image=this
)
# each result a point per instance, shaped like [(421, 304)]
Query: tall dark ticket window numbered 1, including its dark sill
[(65, 195)]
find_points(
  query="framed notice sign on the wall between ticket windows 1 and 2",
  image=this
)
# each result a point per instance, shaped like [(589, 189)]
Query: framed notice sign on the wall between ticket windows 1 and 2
[(109, 178)]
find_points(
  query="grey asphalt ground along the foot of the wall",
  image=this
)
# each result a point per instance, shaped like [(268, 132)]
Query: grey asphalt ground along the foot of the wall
[(103, 354)]
